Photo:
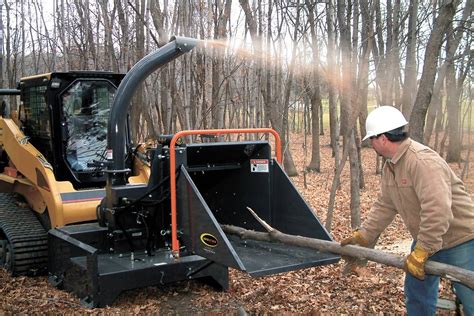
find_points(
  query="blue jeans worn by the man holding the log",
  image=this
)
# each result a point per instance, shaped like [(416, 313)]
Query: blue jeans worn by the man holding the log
[(421, 296)]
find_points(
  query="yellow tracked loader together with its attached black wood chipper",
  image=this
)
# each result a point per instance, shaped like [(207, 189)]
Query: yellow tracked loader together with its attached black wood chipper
[(101, 215)]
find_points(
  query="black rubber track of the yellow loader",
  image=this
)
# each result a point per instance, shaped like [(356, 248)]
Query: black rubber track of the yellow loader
[(26, 234)]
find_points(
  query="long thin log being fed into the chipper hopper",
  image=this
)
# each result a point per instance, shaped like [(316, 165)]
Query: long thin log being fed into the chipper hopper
[(447, 271)]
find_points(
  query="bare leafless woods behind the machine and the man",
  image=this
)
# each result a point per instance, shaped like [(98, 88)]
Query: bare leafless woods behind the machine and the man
[(301, 66)]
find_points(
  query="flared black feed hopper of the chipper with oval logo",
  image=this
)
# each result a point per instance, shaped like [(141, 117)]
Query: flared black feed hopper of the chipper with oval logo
[(218, 181)]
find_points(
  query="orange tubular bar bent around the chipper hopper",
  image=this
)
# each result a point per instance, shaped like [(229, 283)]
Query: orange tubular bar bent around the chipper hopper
[(174, 223)]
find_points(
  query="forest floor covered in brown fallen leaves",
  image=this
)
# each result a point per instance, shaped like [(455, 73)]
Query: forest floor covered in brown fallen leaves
[(376, 289)]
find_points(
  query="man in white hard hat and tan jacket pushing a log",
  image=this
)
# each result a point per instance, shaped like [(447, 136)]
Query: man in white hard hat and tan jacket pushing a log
[(420, 186)]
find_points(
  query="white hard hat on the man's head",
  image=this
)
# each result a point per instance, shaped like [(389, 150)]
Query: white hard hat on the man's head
[(383, 119)]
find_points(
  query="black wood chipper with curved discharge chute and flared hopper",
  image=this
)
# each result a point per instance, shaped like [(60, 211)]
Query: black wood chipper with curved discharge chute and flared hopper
[(168, 228)]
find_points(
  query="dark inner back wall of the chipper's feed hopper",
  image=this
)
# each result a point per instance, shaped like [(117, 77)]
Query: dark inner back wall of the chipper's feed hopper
[(228, 192)]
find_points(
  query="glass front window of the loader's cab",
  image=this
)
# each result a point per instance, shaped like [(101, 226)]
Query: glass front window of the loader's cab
[(86, 107)]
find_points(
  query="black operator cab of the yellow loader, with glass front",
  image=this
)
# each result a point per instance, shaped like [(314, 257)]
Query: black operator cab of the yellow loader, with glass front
[(65, 116)]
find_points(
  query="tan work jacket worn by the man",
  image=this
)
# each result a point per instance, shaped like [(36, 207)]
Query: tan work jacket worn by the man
[(420, 186)]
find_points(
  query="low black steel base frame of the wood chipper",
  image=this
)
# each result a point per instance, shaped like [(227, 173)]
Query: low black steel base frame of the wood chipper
[(98, 278)]
